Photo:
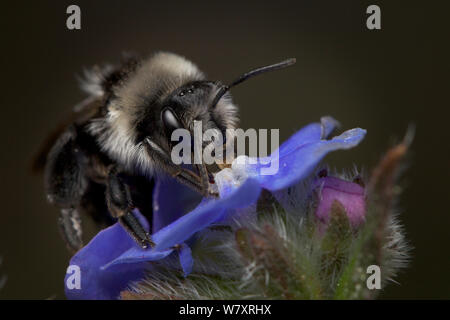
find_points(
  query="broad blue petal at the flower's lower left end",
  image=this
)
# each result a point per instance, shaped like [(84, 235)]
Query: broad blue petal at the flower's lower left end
[(85, 278)]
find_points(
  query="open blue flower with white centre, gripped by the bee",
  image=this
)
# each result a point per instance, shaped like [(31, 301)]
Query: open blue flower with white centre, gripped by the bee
[(111, 261)]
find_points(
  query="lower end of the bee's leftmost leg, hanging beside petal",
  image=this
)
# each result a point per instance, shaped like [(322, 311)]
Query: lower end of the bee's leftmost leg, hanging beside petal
[(69, 224)]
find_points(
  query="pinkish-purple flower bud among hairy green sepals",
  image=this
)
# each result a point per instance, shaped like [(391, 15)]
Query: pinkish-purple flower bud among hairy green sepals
[(349, 194)]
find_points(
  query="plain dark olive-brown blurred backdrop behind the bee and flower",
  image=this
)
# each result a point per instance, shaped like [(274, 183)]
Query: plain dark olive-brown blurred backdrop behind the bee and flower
[(378, 80)]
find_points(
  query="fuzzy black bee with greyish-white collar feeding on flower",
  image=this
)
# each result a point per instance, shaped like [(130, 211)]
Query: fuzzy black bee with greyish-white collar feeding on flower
[(105, 158)]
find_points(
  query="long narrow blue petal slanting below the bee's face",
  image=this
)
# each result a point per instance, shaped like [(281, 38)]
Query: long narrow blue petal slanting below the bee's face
[(207, 213)]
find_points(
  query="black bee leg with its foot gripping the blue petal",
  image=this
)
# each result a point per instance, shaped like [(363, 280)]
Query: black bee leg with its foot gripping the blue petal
[(120, 205)]
